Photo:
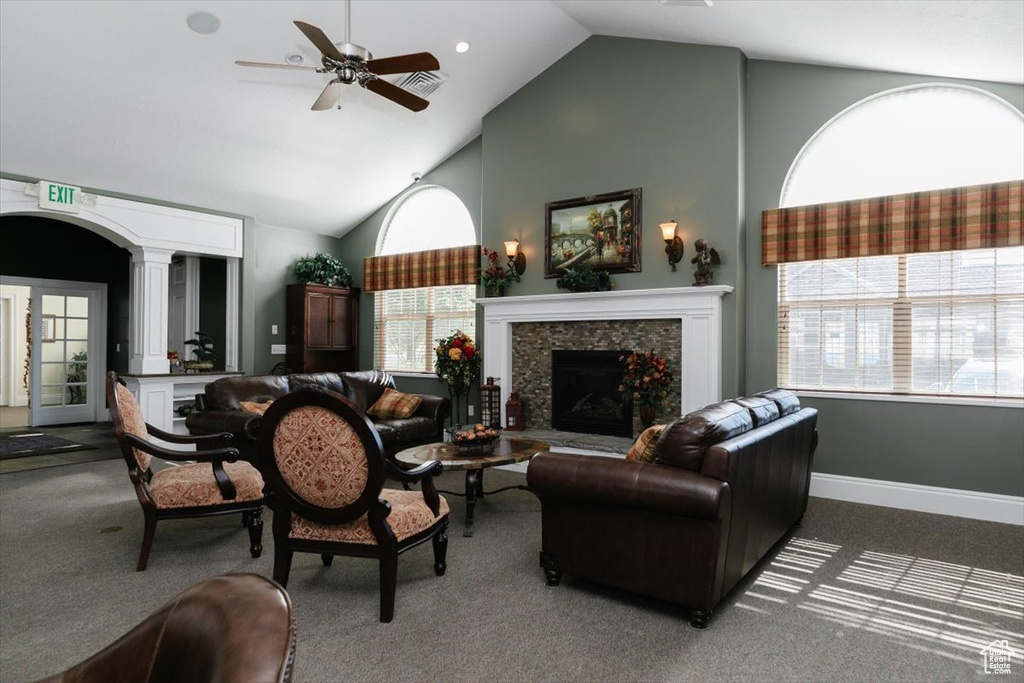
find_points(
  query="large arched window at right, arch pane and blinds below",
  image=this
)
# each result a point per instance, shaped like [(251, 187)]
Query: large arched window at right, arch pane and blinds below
[(942, 323)]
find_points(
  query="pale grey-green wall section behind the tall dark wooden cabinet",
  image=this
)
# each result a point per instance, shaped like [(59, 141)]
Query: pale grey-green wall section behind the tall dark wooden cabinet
[(267, 270)]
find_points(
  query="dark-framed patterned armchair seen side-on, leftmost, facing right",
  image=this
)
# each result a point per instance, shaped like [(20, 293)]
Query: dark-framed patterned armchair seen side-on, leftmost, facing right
[(209, 482)]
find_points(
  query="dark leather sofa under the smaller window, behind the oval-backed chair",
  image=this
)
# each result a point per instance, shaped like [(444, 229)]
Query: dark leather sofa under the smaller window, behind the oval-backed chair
[(219, 409)]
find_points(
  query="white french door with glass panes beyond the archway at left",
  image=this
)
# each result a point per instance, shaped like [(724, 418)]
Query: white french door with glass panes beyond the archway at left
[(68, 353)]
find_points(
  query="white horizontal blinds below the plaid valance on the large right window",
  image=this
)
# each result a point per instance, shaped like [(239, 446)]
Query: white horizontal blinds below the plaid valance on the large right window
[(946, 324)]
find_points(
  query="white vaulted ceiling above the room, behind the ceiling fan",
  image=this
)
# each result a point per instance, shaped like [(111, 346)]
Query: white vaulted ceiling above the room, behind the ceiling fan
[(123, 97)]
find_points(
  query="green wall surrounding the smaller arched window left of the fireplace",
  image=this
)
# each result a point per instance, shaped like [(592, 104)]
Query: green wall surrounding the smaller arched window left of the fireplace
[(461, 175)]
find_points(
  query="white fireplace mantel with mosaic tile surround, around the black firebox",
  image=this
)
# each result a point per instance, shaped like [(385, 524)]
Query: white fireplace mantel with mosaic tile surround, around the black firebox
[(682, 324)]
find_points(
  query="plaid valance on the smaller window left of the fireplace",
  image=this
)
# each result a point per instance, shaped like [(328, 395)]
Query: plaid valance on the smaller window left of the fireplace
[(456, 266)]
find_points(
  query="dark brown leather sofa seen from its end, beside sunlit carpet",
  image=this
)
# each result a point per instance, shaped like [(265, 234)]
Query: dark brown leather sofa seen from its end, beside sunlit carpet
[(728, 483)]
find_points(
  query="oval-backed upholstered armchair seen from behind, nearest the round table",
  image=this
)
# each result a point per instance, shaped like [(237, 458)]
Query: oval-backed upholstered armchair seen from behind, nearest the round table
[(326, 468)]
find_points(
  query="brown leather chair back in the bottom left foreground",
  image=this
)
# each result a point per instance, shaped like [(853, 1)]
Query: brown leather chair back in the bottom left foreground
[(233, 628)]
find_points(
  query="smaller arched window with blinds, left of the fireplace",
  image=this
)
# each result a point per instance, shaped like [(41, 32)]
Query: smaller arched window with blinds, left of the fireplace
[(408, 323)]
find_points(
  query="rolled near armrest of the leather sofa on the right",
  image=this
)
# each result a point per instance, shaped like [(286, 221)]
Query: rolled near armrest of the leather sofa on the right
[(611, 482)]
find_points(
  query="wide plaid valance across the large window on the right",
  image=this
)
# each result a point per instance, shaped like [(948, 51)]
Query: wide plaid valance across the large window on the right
[(975, 218)]
